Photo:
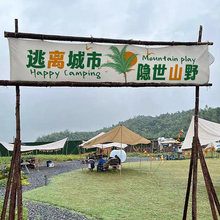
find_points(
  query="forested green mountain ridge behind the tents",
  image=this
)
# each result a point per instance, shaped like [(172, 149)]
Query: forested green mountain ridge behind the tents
[(164, 125)]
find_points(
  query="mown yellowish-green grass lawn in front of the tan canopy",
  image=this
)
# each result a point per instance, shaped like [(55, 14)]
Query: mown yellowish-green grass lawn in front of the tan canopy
[(139, 193)]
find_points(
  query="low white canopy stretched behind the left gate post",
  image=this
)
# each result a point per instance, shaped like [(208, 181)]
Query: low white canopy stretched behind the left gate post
[(51, 146)]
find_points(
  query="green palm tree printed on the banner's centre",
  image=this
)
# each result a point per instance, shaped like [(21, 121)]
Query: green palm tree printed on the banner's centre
[(120, 64)]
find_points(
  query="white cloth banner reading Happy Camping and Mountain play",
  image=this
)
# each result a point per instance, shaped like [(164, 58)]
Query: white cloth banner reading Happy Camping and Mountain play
[(38, 60)]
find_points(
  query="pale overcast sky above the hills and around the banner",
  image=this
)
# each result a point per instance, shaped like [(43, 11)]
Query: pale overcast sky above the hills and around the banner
[(47, 110)]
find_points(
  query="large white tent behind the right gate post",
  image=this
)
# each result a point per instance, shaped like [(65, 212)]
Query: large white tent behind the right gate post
[(208, 132)]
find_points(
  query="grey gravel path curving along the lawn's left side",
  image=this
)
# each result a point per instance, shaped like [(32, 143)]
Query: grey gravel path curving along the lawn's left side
[(37, 211)]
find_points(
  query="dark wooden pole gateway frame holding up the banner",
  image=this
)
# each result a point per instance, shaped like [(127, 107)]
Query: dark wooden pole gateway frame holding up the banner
[(14, 187)]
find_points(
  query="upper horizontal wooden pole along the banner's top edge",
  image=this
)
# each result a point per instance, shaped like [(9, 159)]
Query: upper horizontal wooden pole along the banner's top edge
[(99, 40)]
